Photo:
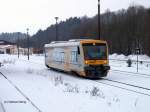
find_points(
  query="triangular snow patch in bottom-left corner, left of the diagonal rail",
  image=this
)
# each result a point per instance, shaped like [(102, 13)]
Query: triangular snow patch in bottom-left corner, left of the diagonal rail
[(12, 100)]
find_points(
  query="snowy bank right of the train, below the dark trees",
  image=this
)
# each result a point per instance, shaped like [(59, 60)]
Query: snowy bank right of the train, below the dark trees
[(119, 62)]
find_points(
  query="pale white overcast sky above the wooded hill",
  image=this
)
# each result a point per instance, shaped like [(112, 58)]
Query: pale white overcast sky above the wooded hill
[(17, 15)]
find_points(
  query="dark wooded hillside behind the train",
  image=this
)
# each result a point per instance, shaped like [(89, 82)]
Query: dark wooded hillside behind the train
[(124, 30)]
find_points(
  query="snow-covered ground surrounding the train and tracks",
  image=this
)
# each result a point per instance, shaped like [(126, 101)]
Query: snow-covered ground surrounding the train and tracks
[(31, 87)]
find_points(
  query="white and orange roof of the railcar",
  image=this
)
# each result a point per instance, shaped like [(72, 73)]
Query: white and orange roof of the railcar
[(73, 42)]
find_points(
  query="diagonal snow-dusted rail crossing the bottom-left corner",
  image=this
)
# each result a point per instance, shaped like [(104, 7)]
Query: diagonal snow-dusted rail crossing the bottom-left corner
[(22, 93)]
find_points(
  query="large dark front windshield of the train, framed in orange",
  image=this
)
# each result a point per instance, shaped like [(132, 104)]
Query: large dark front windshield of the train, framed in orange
[(95, 51)]
